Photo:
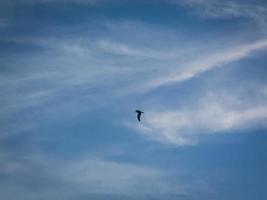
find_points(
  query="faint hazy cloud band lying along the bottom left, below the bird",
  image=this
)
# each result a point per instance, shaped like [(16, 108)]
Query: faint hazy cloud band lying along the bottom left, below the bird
[(87, 176)]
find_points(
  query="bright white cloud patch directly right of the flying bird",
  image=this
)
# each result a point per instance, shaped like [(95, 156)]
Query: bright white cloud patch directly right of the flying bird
[(213, 114)]
